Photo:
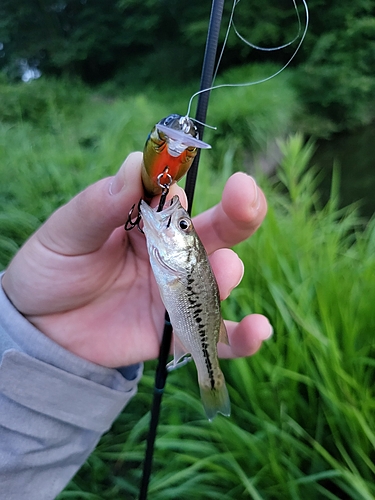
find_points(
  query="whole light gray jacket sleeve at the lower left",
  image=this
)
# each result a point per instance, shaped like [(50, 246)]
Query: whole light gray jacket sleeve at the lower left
[(54, 406)]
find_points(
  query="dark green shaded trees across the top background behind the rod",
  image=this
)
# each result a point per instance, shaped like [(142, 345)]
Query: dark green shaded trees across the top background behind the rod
[(163, 42)]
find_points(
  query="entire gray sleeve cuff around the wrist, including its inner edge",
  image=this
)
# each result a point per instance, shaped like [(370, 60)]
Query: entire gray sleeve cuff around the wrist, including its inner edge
[(43, 376)]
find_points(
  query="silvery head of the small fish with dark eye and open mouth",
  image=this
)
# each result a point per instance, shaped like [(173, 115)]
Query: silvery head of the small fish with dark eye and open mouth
[(170, 234)]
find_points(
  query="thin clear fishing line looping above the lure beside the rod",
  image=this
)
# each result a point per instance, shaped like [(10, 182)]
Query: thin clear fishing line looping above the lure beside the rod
[(266, 49)]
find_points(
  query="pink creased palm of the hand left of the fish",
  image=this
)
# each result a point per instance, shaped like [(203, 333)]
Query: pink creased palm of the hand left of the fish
[(103, 305)]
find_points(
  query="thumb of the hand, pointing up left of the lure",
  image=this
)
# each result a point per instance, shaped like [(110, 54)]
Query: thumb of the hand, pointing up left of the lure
[(85, 222)]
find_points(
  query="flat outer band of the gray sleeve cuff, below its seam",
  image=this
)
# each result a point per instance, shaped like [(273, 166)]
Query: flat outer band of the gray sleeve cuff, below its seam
[(61, 395)]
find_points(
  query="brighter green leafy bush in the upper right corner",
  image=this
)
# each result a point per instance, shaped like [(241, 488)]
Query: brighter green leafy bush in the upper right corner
[(336, 80)]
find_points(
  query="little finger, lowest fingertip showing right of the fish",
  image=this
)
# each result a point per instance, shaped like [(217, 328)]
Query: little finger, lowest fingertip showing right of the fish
[(245, 337)]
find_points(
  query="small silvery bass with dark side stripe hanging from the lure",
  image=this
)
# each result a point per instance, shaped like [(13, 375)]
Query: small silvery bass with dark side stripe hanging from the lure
[(190, 294)]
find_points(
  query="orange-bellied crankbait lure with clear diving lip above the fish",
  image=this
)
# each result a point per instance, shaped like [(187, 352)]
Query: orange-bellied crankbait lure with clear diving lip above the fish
[(169, 151)]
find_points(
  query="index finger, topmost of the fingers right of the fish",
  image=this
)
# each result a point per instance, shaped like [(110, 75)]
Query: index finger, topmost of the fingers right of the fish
[(240, 212)]
